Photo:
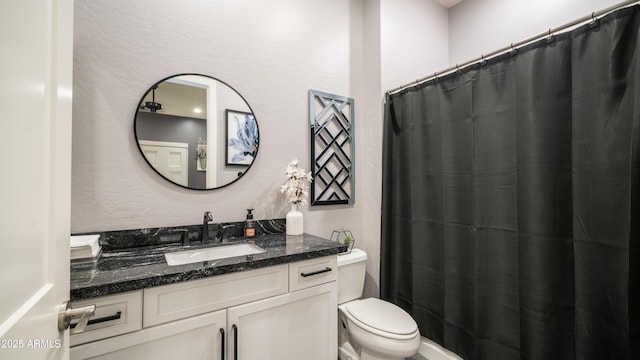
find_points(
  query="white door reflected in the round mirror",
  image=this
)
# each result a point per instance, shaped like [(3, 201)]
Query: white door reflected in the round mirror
[(169, 159)]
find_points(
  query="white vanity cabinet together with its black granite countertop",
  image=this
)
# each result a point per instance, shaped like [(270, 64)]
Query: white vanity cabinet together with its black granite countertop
[(277, 304)]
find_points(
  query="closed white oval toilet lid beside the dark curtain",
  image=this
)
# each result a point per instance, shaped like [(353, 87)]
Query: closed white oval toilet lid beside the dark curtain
[(382, 315)]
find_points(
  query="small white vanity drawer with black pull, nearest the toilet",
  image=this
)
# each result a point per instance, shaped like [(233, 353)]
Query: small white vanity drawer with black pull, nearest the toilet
[(307, 273)]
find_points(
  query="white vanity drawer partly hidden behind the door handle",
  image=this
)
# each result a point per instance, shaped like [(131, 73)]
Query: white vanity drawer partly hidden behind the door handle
[(115, 315)]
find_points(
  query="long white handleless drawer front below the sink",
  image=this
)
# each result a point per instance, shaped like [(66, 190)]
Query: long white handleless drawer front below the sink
[(177, 301)]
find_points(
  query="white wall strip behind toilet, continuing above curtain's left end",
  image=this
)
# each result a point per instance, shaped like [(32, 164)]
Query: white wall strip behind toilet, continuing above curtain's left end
[(401, 39)]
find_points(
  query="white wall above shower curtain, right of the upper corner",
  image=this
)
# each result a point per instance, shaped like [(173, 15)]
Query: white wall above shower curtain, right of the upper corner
[(479, 27)]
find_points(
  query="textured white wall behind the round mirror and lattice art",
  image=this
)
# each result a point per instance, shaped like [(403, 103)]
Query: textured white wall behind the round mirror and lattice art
[(270, 52)]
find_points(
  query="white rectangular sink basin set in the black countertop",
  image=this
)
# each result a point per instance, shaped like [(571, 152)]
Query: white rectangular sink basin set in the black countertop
[(212, 253)]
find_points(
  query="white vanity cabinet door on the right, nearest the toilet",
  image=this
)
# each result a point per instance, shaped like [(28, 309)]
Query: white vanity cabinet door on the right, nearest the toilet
[(293, 326)]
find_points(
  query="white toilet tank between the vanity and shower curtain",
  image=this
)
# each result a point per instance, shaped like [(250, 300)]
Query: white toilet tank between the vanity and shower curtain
[(352, 268)]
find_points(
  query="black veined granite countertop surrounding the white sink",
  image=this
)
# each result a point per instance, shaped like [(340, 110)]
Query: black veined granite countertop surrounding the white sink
[(137, 268)]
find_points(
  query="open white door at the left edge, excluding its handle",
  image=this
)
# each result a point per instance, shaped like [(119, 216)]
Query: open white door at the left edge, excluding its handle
[(36, 38)]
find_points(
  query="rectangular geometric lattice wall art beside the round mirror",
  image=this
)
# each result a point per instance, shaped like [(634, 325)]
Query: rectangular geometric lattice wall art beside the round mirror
[(332, 149)]
